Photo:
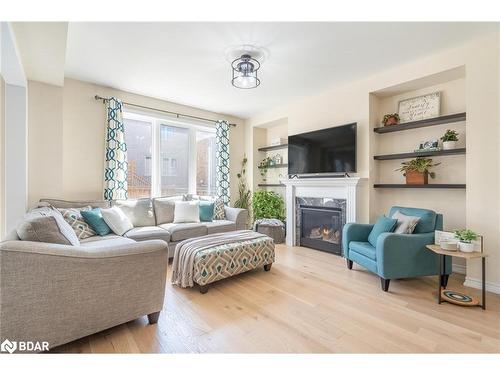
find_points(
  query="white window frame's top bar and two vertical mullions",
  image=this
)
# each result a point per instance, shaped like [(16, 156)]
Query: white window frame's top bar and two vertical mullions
[(156, 120)]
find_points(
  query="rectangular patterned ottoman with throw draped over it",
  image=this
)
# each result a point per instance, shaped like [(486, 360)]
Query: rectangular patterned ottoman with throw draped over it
[(219, 256)]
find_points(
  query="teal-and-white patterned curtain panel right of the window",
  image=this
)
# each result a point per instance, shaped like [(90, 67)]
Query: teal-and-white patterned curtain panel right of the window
[(222, 156)]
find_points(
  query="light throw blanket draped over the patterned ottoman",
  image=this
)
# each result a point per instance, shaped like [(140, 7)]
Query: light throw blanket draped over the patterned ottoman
[(185, 252)]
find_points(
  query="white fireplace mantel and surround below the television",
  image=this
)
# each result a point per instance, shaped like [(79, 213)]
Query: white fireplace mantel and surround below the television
[(328, 187)]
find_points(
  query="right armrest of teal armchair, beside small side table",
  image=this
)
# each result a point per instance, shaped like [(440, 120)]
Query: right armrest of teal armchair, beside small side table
[(406, 255)]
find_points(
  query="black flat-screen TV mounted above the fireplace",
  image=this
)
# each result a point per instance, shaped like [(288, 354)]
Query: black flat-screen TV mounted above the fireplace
[(326, 151)]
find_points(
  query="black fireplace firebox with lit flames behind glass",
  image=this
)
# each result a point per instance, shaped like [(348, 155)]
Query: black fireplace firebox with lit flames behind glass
[(321, 228)]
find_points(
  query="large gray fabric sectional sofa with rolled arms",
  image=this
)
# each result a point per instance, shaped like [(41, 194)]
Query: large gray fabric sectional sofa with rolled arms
[(59, 293)]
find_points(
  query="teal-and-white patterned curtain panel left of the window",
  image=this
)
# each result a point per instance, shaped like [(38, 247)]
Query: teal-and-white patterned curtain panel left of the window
[(115, 172)]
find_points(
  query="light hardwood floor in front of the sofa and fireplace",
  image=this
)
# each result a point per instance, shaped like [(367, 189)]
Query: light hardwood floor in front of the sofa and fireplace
[(308, 302)]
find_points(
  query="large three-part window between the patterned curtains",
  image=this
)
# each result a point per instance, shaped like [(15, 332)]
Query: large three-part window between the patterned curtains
[(169, 157)]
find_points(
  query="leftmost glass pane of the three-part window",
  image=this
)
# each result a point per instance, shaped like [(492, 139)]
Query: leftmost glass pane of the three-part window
[(138, 135)]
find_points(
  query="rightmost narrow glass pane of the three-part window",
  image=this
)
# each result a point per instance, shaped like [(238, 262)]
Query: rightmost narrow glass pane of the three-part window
[(205, 163)]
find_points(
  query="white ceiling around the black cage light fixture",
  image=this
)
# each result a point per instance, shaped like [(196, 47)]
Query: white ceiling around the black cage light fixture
[(186, 62)]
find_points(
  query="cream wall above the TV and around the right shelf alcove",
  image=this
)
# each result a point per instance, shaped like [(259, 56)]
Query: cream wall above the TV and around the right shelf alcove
[(351, 102)]
